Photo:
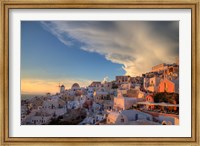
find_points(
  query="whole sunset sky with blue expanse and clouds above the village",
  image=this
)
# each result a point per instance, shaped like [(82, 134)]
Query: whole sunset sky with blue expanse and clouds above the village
[(67, 52)]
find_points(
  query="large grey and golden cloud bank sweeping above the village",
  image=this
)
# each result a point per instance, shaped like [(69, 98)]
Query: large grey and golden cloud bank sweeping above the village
[(136, 45)]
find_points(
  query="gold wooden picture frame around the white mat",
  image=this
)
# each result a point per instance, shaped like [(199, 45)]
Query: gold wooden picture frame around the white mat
[(172, 4)]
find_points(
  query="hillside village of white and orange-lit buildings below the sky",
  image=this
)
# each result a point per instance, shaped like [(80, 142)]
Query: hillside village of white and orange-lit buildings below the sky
[(149, 99)]
